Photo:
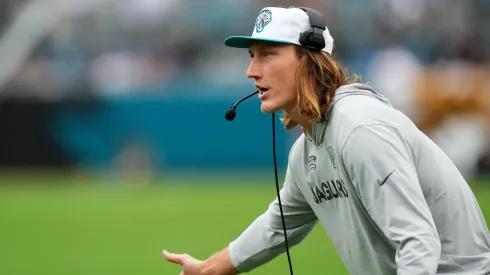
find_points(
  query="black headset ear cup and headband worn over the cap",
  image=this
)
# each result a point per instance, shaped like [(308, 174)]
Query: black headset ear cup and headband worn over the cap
[(314, 38)]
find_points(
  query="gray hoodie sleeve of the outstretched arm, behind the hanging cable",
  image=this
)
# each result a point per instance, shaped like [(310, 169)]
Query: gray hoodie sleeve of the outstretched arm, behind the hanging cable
[(264, 240)]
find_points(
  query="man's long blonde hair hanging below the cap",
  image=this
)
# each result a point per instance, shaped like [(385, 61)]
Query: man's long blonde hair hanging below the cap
[(318, 76)]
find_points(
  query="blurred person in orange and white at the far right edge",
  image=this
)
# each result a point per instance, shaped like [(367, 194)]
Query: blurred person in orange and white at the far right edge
[(454, 97)]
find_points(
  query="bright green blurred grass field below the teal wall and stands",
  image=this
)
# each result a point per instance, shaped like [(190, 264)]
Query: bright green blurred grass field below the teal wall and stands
[(82, 226)]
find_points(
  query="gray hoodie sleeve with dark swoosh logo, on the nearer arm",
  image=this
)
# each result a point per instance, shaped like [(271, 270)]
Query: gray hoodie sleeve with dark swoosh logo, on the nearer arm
[(381, 166)]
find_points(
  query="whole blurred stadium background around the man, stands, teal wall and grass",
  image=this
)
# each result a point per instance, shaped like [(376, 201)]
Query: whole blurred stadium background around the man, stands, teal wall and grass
[(113, 143)]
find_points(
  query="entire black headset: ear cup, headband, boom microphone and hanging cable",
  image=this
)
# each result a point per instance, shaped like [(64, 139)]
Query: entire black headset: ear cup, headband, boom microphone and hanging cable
[(312, 39)]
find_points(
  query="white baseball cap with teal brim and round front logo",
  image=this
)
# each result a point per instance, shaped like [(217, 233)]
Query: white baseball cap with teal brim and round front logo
[(281, 25)]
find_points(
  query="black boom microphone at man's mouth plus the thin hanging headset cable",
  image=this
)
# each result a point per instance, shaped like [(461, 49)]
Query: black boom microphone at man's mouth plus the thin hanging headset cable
[(230, 115)]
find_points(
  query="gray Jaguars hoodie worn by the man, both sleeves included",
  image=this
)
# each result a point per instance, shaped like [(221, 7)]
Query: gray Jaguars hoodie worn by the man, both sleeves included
[(391, 201)]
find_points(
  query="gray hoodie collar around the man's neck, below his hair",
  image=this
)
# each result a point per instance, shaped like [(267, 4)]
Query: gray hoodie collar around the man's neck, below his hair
[(319, 128)]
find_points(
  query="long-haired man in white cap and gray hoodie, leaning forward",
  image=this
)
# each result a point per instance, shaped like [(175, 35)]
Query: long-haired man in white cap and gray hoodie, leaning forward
[(389, 198)]
